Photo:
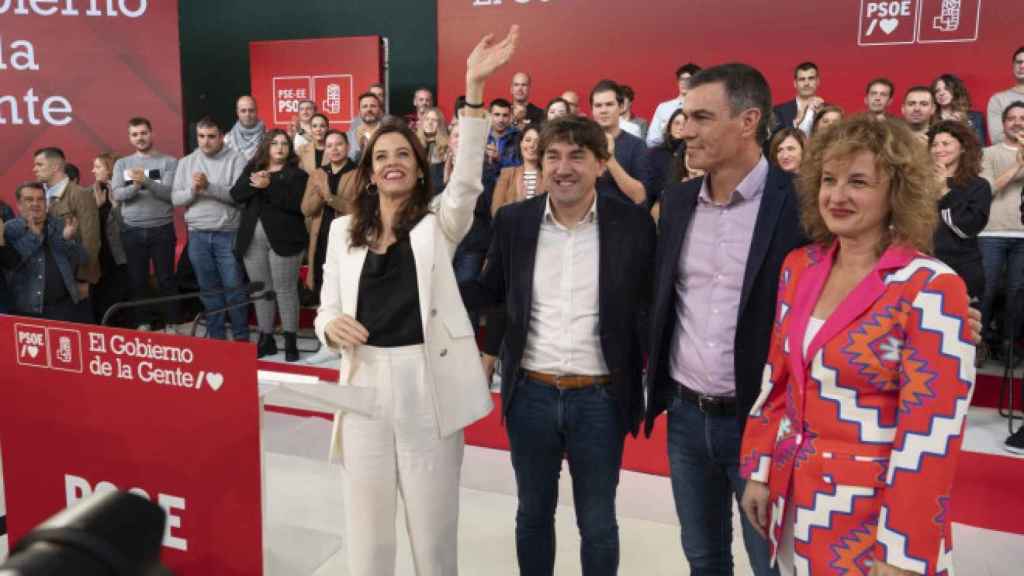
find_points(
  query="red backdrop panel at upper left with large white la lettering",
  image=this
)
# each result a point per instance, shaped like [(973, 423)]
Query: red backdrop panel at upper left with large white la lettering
[(109, 61)]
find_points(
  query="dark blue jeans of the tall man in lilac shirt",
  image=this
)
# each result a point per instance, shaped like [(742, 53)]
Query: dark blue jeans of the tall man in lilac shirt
[(704, 459)]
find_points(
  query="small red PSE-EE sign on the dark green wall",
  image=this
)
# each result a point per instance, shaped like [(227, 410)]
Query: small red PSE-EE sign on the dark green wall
[(332, 72)]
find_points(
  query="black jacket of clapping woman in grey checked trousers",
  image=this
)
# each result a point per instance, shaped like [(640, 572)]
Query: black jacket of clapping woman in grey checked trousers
[(278, 207)]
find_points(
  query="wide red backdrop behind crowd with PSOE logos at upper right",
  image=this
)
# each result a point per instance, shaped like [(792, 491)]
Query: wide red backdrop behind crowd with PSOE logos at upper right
[(572, 45)]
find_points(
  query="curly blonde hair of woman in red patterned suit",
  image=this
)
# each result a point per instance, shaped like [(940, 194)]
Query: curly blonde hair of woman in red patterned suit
[(914, 189)]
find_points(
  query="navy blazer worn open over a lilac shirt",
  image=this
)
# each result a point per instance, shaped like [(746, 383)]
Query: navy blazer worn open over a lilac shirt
[(777, 233)]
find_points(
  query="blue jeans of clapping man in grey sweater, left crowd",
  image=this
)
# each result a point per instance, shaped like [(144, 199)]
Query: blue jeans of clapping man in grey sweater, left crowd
[(212, 256)]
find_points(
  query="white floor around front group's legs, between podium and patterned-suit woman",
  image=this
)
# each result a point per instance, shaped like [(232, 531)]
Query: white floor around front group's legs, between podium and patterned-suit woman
[(305, 511)]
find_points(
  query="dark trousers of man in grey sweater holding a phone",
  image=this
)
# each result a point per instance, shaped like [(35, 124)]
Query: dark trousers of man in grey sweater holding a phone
[(143, 246)]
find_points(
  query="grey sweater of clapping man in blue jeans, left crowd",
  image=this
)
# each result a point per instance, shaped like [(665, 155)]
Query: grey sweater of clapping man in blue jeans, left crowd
[(214, 210)]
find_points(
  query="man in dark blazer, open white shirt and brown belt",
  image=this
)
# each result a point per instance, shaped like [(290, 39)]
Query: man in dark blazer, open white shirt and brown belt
[(574, 270)]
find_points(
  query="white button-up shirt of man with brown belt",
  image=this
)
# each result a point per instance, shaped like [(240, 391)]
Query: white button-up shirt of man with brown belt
[(564, 335)]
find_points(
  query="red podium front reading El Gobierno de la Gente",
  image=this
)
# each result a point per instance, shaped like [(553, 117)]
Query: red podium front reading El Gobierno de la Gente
[(176, 420)]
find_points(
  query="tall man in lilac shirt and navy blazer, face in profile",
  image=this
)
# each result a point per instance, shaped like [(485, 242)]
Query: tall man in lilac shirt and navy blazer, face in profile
[(723, 239)]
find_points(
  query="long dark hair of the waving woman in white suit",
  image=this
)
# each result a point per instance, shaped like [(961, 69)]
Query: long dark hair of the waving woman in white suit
[(367, 227)]
